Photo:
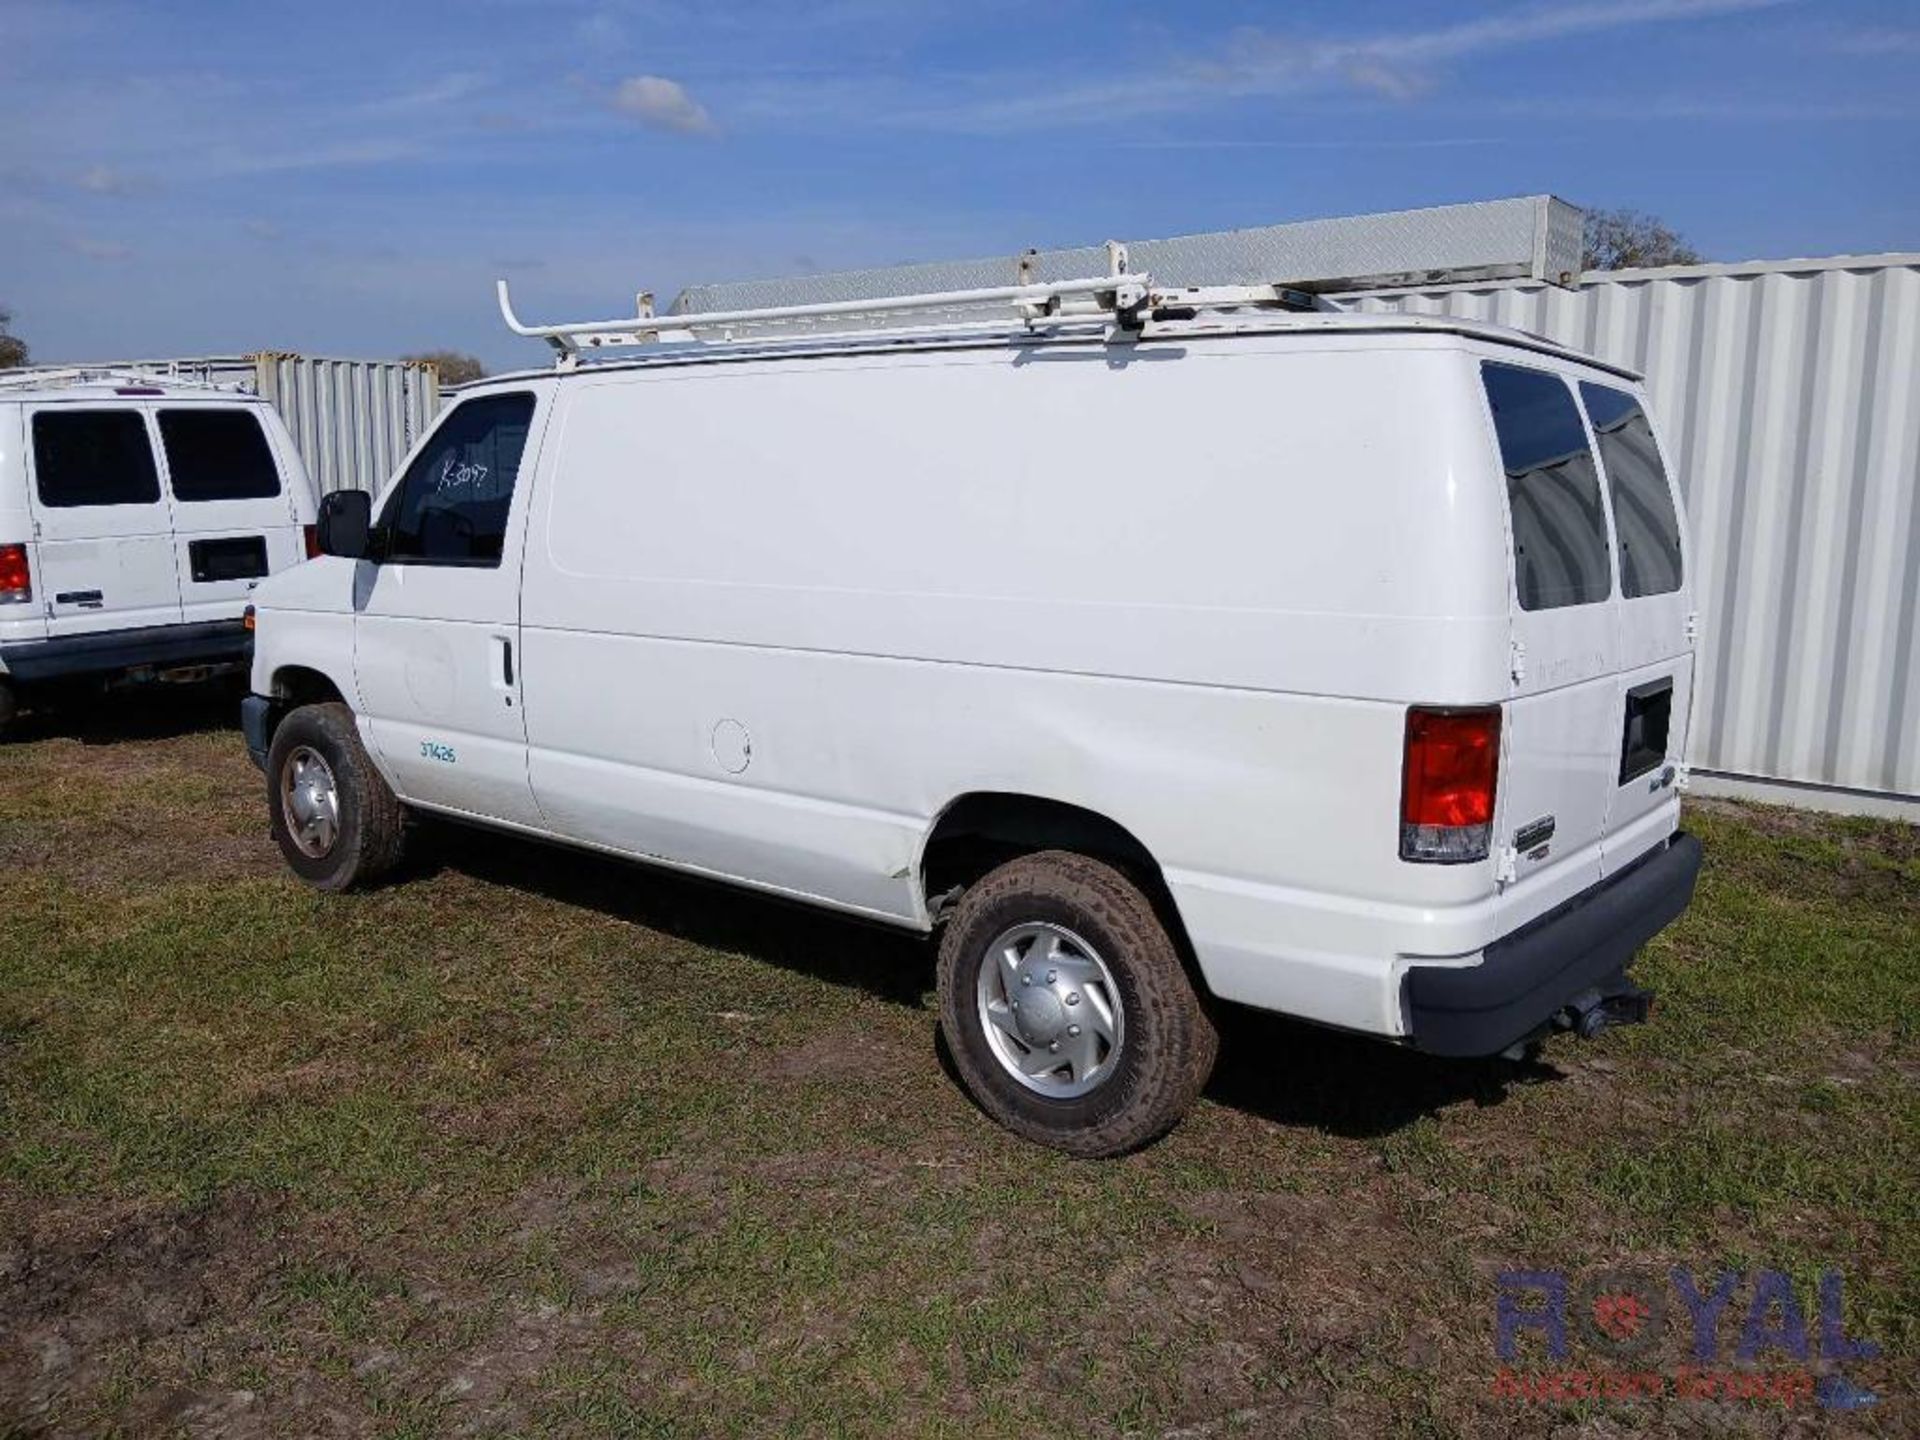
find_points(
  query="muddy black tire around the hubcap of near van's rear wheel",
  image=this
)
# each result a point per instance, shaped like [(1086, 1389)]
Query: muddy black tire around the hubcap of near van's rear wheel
[(1168, 1042)]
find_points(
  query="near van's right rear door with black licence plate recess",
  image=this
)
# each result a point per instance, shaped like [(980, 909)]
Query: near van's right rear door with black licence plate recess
[(1652, 613)]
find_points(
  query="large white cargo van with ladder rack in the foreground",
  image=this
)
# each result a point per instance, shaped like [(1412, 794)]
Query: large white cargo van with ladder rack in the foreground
[(1163, 658)]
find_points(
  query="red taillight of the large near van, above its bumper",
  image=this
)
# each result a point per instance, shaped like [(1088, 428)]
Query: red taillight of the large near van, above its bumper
[(1447, 788)]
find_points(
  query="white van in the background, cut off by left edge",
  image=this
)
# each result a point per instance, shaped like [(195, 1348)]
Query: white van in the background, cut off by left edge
[(135, 519)]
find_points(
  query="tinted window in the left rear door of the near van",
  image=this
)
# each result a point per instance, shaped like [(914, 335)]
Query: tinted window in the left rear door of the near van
[(1560, 525)]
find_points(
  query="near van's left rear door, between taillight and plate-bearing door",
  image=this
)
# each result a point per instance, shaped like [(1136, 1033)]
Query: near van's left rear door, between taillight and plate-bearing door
[(1562, 734)]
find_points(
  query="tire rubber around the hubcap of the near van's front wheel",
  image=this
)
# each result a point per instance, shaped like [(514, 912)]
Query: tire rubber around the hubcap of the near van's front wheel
[(372, 830)]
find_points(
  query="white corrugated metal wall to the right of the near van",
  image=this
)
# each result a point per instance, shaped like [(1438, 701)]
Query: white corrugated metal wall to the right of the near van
[(1788, 398)]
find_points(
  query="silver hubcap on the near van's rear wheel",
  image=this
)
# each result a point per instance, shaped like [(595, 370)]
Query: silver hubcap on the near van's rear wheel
[(1051, 1011)]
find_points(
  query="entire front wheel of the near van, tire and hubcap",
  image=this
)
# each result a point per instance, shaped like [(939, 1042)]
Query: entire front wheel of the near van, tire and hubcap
[(333, 815)]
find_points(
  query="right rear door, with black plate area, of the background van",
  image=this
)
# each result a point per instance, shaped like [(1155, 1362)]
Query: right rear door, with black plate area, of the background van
[(233, 517)]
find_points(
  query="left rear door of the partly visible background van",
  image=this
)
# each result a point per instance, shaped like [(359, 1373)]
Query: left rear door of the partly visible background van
[(105, 527)]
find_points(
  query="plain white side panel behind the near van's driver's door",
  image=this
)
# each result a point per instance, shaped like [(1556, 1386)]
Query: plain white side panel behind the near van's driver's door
[(779, 617)]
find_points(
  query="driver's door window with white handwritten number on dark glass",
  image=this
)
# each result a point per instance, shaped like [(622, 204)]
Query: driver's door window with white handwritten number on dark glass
[(452, 506)]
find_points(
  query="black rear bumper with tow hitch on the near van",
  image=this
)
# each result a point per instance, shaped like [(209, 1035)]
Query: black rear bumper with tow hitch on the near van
[(1564, 971)]
